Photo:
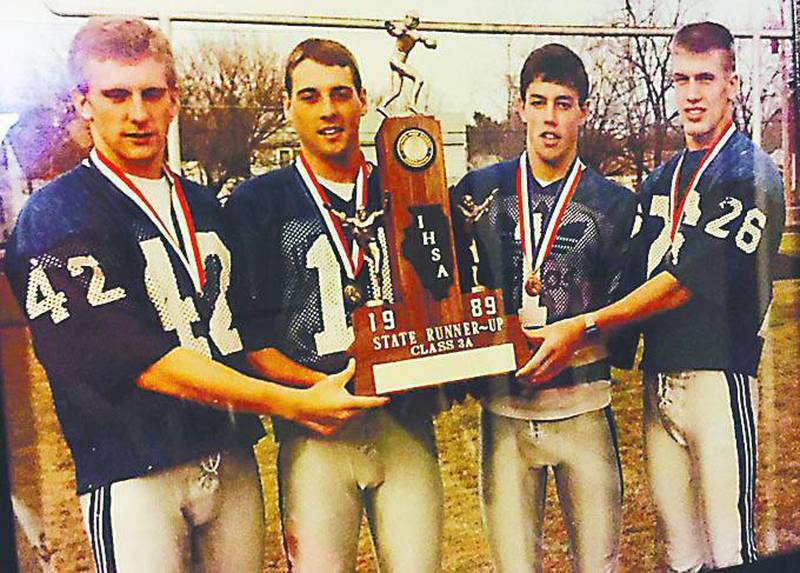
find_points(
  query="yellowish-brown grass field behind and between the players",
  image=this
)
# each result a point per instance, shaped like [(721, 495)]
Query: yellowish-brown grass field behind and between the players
[(43, 479)]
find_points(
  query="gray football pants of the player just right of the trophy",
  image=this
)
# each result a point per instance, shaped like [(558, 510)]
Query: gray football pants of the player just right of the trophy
[(582, 453)]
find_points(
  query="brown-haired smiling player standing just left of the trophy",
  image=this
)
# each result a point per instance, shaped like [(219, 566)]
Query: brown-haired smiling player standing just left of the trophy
[(306, 273)]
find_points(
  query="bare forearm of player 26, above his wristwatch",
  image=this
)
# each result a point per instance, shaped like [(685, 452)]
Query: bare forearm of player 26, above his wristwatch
[(659, 294)]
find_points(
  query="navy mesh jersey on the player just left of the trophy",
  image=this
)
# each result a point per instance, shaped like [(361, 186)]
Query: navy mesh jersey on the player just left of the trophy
[(292, 287)]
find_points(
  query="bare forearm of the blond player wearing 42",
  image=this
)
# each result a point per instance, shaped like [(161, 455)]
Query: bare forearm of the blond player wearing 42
[(188, 375)]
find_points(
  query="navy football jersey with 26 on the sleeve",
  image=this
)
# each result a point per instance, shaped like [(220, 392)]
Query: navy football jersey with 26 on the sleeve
[(723, 253)]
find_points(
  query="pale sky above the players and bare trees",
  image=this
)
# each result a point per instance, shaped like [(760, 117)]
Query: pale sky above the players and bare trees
[(465, 73)]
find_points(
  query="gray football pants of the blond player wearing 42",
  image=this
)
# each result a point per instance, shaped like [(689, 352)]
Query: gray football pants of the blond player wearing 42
[(182, 519)]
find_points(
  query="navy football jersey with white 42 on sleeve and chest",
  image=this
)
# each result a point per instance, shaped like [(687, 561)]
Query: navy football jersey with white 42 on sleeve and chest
[(106, 296)]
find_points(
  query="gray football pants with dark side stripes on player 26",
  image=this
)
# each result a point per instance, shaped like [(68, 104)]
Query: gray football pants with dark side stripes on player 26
[(700, 448)]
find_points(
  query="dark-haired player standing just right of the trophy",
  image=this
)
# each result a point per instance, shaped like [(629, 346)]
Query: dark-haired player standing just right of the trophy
[(554, 239)]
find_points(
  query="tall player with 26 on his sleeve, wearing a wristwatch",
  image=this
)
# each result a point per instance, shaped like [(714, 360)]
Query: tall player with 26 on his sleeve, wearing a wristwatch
[(712, 218)]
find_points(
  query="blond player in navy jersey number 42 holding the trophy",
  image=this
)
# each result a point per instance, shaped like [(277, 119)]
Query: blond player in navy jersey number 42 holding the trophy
[(123, 271)]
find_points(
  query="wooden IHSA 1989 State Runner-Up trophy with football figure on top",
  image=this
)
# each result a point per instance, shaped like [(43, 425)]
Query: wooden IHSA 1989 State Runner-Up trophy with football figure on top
[(430, 333)]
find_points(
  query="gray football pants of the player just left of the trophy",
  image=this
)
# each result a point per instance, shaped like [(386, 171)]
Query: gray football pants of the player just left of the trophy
[(378, 465)]
